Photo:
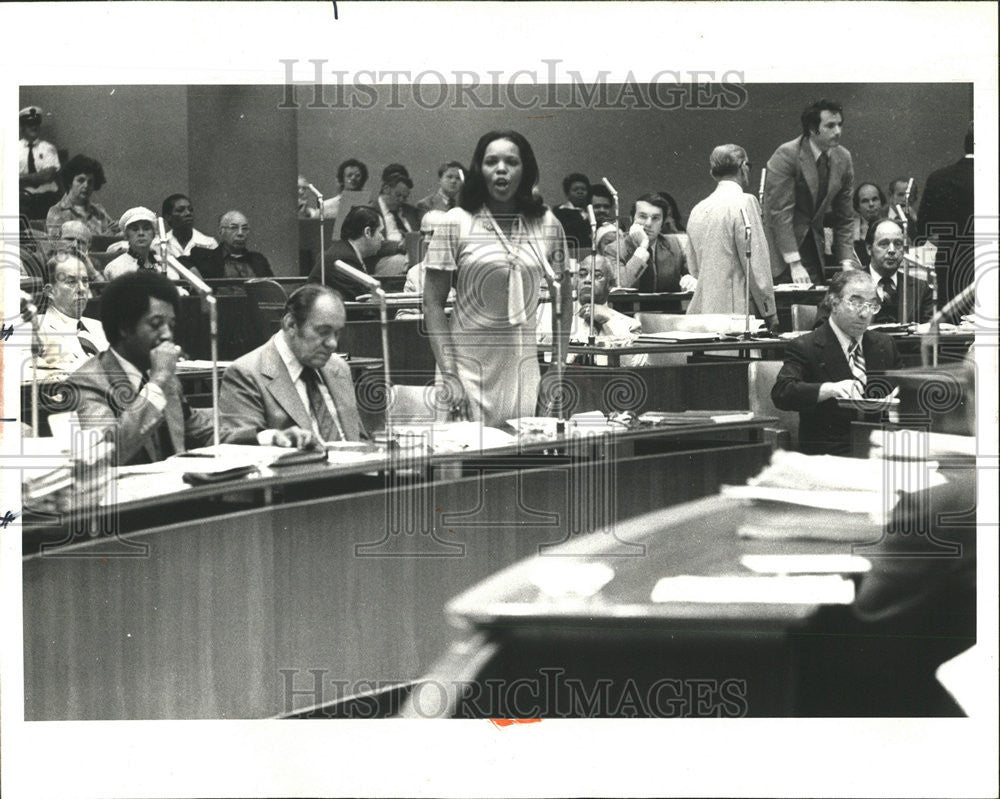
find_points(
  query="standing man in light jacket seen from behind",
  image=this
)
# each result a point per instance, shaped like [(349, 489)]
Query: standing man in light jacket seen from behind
[(717, 243)]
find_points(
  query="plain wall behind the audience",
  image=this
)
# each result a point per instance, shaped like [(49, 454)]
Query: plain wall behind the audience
[(236, 146)]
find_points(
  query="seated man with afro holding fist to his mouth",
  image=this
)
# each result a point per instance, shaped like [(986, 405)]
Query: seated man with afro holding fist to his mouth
[(131, 390)]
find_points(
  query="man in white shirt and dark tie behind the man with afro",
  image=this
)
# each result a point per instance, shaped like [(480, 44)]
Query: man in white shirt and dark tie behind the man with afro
[(67, 337)]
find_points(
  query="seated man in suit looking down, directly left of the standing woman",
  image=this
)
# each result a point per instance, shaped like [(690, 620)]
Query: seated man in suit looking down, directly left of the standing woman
[(293, 386)]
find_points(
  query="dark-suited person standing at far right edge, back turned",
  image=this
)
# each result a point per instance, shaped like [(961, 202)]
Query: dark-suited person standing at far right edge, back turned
[(947, 218)]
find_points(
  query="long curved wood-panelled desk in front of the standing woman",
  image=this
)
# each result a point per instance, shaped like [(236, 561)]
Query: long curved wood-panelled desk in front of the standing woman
[(261, 597)]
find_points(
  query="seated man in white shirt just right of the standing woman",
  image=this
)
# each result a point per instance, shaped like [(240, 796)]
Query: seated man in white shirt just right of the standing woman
[(609, 324)]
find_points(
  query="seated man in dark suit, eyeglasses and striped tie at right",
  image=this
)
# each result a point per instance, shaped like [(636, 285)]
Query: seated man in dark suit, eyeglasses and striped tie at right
[(835, 361)]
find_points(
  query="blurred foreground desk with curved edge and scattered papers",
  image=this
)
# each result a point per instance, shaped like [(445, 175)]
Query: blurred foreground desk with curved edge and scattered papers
[(595, 644)]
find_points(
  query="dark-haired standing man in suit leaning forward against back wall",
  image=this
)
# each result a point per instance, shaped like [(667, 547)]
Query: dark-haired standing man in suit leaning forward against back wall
[(806, 178)]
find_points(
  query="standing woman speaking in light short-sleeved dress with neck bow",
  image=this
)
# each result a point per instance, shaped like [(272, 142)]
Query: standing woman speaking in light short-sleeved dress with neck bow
[(500, 242)]
